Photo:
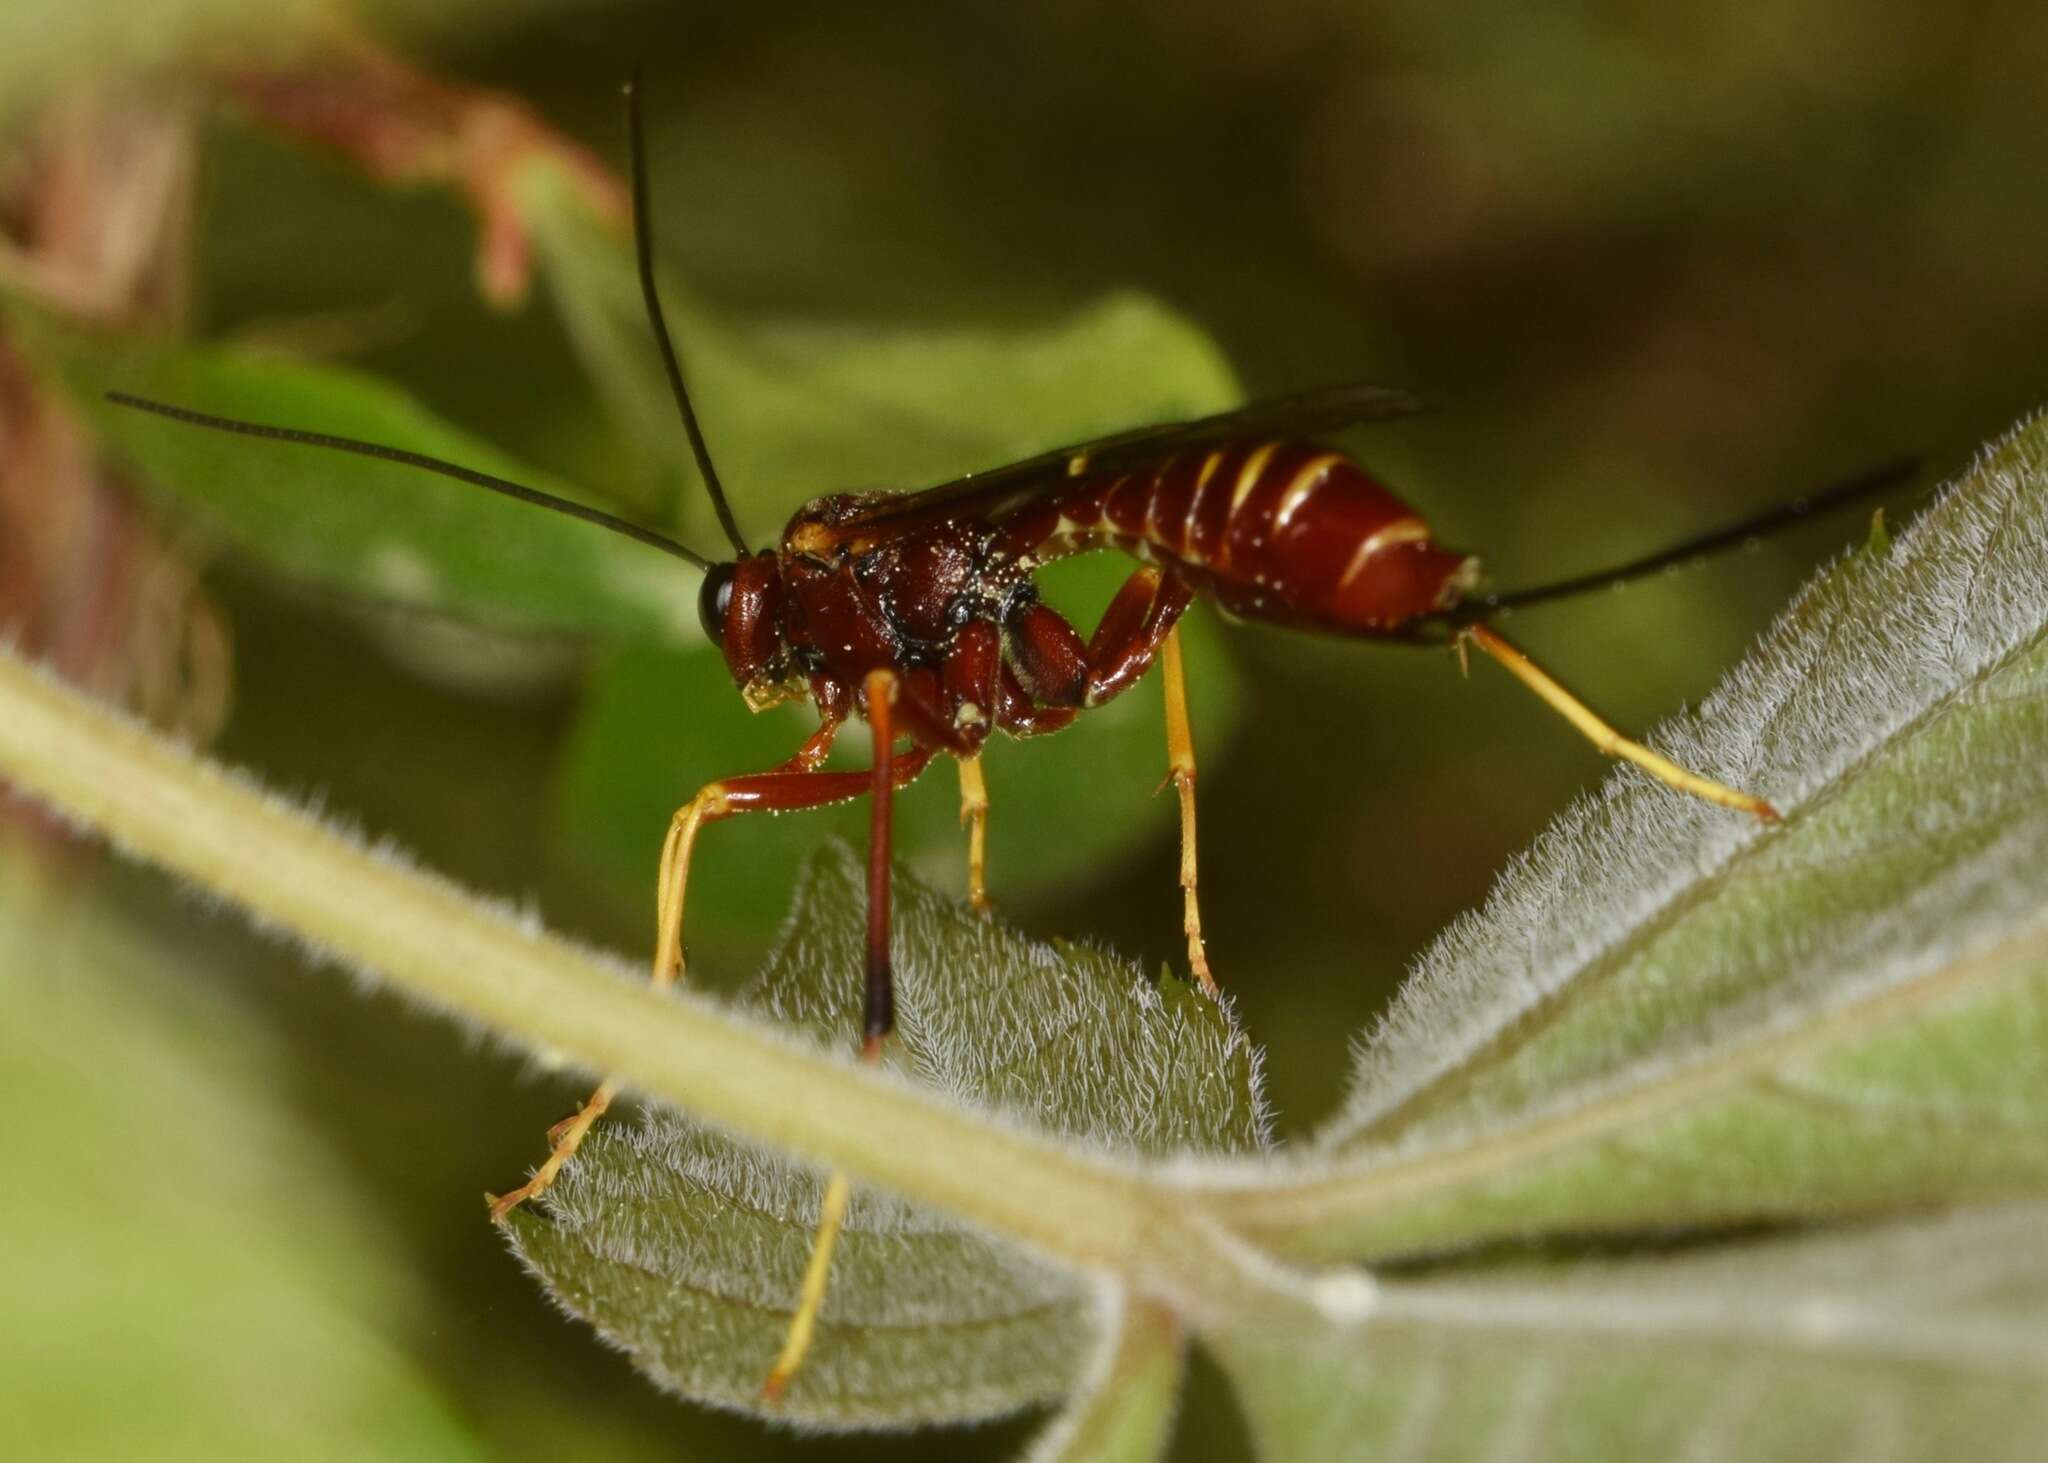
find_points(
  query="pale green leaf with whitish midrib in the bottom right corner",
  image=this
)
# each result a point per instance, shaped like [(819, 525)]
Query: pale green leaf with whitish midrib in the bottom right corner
[(1918, 1341)]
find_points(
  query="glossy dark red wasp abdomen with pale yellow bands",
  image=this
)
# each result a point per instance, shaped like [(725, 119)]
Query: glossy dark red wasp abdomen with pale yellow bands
[(1283, 532)]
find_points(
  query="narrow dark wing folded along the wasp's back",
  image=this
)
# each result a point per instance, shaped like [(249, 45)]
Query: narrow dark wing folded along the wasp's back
[(1287, 417)]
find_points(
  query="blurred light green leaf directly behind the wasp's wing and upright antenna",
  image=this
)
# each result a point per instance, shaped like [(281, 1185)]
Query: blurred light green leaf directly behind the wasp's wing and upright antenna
[(794, 411)]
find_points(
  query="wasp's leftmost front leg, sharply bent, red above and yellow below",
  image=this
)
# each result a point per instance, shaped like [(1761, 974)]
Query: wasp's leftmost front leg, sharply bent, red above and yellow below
[(781, 792)]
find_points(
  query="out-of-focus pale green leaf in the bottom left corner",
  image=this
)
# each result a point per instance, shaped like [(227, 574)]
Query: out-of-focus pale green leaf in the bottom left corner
[(136, 1091)]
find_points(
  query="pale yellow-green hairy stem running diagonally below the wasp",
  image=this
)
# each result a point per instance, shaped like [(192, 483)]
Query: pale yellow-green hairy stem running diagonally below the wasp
[(462, 956)]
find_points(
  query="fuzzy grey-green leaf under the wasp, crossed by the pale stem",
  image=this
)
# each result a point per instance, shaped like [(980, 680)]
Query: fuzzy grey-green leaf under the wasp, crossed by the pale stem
[(687, 1249)]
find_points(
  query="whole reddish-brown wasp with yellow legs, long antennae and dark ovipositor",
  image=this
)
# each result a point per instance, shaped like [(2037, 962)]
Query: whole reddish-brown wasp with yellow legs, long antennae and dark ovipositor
[(921, 616)]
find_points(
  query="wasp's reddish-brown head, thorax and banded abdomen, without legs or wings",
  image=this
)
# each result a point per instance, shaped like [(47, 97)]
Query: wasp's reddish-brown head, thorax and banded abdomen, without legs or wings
[(939, 587)]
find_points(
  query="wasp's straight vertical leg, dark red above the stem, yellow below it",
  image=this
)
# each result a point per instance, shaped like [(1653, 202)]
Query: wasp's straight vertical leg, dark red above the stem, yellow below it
[(876, 1023)]
